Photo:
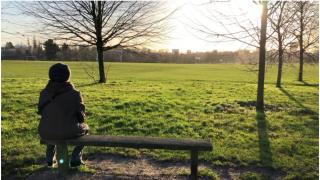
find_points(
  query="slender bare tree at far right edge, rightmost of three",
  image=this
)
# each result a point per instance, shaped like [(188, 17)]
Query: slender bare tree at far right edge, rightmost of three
[(306, 29)]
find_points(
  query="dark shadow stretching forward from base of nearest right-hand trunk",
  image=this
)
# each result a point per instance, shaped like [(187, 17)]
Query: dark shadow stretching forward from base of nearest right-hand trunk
[(264, 143)]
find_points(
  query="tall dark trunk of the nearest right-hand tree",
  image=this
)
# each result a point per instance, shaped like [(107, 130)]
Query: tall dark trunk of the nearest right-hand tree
[(262, 57)]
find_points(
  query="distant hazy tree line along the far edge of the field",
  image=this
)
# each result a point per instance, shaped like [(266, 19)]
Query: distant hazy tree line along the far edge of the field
[(50, 50)]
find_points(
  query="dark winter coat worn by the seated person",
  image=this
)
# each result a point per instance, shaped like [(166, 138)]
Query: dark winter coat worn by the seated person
[(62, 112)]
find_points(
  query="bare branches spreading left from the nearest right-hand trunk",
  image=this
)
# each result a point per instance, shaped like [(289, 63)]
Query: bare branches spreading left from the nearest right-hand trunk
[(224, 28)]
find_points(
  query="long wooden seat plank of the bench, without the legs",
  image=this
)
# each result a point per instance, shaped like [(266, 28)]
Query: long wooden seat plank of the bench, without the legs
[(136, 142)]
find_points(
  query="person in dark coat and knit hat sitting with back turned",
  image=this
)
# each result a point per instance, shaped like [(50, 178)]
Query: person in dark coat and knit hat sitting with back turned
[(62, 113)]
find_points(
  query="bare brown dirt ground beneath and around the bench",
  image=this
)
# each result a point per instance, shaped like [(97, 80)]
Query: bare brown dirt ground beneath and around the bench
[(110, 166)]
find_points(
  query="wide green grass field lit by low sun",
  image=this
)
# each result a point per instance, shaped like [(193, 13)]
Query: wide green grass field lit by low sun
[(214, 102)]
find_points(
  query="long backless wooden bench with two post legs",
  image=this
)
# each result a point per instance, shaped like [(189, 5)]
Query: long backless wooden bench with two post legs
[(193, 145)]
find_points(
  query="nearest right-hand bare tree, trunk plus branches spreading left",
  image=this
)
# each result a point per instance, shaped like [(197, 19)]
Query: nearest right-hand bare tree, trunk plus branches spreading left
[(238, 27)]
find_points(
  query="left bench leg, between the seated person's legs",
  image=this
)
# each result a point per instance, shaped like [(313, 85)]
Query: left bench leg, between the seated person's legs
[(63, 159)]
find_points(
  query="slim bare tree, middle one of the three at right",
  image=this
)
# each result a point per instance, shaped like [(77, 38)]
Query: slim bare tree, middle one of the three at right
[(280, 20)]
